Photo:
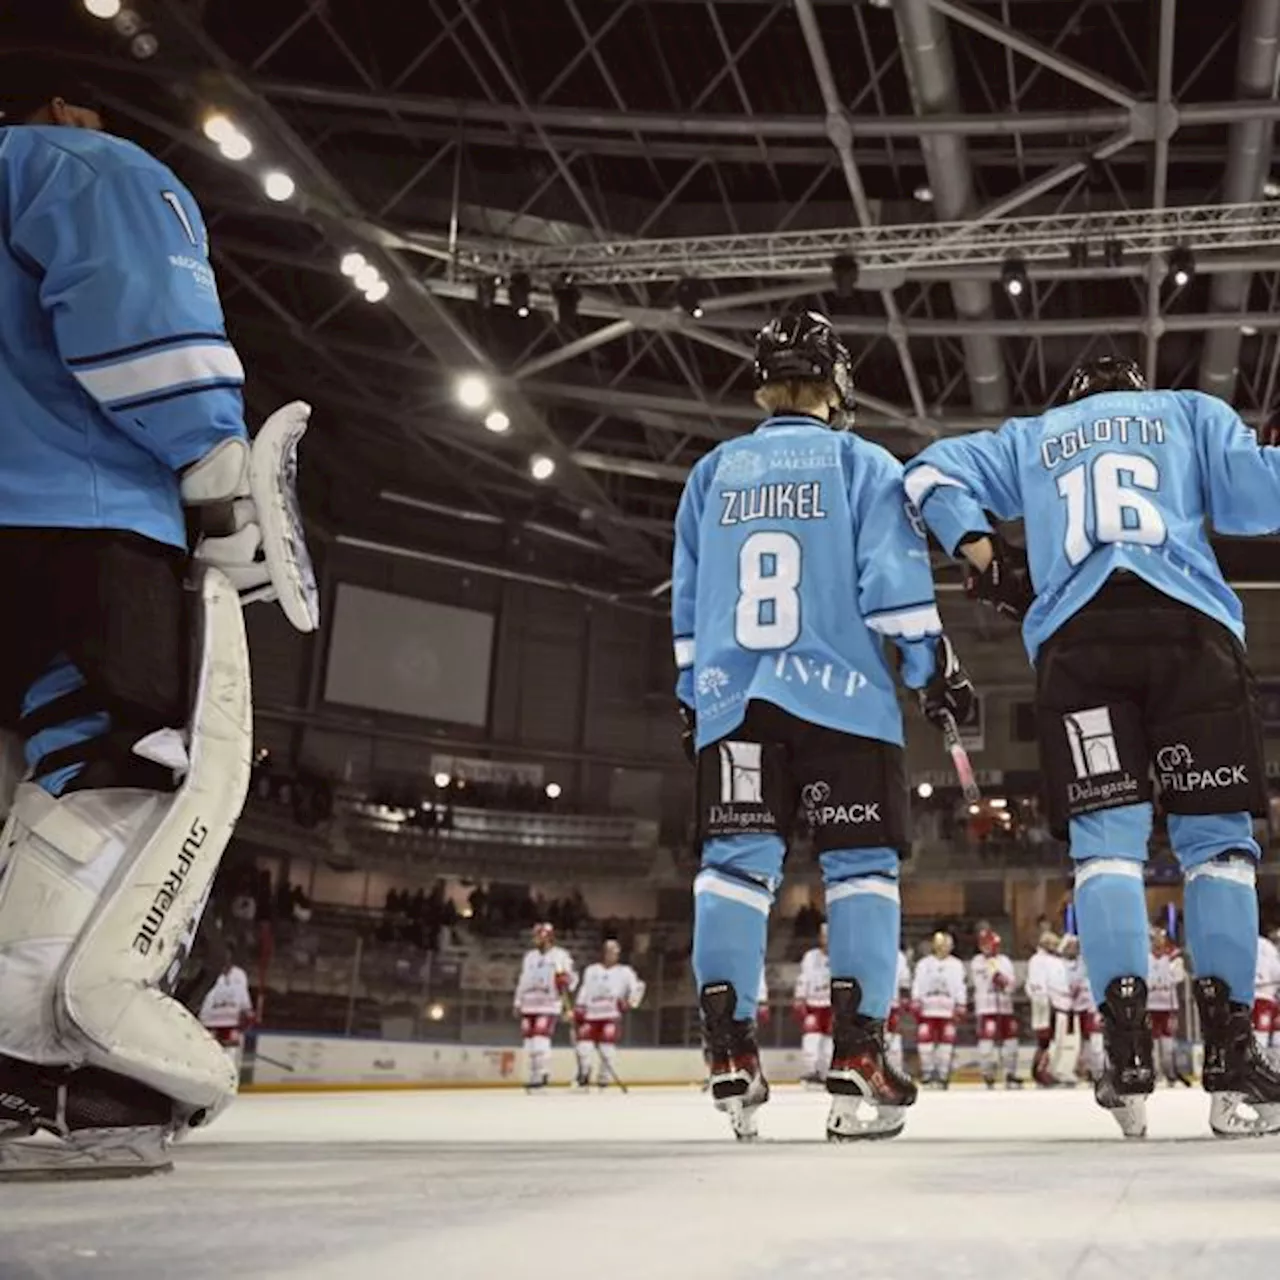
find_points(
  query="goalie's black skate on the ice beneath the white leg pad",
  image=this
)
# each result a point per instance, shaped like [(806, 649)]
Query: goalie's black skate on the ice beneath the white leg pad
[(103, 1126)]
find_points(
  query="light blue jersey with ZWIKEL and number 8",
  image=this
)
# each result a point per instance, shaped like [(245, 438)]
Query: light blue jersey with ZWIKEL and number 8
[(797, 555)]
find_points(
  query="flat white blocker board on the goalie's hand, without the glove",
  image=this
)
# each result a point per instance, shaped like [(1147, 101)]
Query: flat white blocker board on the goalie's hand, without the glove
[(275, 486)]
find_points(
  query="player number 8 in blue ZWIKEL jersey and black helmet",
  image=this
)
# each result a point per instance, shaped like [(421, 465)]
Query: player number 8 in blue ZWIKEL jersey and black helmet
[(797, 557)]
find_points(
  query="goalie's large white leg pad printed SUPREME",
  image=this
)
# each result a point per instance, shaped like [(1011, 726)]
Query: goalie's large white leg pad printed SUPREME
[(100, 888)]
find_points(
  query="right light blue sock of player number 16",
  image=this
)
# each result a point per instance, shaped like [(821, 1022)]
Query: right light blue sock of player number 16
[(1223, 924)]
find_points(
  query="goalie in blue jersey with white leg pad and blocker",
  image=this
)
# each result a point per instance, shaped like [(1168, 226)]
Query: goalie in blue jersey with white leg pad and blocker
[(124, 662)]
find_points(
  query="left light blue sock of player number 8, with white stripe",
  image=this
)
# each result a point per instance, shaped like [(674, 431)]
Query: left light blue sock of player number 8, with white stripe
[(733, 895)]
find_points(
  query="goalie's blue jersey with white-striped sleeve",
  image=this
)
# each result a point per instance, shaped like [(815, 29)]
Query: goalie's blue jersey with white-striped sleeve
[(116, 371)]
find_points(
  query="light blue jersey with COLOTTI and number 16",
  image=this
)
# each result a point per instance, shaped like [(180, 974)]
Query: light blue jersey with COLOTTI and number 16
[(1122, 481)]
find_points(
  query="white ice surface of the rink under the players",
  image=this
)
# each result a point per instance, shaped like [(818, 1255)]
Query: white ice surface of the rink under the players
[(496, 1185)]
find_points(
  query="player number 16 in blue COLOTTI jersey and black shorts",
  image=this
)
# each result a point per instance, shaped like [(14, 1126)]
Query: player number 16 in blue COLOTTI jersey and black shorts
[(1140, 670)]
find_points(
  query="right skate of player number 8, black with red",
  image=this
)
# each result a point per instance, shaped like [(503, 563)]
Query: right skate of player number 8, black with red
[(868, 1095)]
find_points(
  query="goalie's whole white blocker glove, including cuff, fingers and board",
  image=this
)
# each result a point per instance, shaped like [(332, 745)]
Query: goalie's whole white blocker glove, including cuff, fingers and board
[(244, 505)]
